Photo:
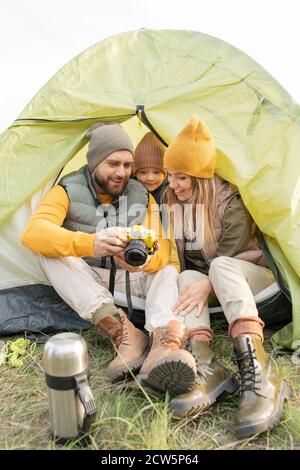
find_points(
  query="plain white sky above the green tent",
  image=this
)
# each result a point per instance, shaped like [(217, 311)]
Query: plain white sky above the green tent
[(37, 37)]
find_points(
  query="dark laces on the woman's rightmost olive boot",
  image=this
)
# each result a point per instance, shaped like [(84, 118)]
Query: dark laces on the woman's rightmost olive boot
[(249, 373)]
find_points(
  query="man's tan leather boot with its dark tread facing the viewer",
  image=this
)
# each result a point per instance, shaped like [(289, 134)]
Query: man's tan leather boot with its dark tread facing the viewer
[(168, 367)]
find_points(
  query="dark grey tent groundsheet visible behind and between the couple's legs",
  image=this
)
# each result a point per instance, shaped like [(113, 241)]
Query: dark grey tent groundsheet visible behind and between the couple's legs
[(39, 309)]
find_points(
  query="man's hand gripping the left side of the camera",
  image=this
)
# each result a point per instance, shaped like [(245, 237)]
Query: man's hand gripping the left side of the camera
[(109, 242)]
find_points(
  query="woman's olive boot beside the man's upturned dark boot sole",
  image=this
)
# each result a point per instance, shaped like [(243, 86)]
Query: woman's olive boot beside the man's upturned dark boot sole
[(212, 381)]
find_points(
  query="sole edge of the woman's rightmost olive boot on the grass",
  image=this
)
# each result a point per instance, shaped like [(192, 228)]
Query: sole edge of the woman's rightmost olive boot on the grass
[(257, 428)]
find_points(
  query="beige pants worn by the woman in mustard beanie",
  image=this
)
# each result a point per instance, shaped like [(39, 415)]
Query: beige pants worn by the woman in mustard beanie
[(235, 282)]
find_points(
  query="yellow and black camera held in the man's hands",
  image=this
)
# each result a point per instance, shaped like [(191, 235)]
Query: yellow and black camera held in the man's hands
[(142, 242)]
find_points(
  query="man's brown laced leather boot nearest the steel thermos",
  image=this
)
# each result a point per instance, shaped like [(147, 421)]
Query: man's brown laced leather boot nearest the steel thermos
[(130, 342)]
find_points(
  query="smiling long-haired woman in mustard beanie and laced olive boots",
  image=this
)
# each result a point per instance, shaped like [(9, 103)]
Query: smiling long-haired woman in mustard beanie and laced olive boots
[(220, 261)]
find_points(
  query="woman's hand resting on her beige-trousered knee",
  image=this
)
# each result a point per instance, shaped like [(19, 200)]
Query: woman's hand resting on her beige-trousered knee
[(193, 295)]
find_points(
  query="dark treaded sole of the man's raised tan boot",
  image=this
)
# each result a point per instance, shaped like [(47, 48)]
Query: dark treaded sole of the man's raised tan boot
[(174, 377)]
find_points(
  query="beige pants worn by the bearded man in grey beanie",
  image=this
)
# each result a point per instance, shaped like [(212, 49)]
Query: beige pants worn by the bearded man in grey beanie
[(85, 288)]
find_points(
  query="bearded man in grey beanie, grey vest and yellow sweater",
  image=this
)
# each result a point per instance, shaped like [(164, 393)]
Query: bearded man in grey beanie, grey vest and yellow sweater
[(75, 232)]
